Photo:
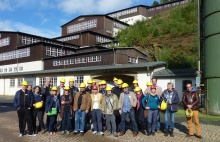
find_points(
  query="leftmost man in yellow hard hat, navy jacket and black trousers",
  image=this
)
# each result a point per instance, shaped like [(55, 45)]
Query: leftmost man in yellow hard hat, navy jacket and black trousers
[(23, 102)]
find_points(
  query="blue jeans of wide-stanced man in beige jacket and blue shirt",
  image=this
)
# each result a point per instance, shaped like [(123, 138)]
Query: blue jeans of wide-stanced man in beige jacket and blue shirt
[(133, 121)]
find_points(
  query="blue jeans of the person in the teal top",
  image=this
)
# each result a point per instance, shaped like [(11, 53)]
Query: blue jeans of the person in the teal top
[(152, 120)]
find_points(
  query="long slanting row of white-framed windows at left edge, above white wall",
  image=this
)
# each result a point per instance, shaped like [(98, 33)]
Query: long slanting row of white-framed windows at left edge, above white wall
[(15, 54)]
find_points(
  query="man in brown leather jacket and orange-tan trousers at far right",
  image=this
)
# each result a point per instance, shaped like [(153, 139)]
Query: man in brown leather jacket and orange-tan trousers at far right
[(191, 101)]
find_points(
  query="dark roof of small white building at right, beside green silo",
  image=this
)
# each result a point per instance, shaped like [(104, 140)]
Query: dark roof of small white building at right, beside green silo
[(175, 73)]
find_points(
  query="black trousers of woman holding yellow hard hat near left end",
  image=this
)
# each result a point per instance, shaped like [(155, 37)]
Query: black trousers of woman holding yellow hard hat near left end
[(38, 114)]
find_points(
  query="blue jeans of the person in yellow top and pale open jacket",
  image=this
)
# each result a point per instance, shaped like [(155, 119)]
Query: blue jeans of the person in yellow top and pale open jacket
[(97, 119)]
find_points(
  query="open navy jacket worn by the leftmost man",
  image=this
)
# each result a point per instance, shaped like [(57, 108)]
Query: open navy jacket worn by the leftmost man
[(17, 98)]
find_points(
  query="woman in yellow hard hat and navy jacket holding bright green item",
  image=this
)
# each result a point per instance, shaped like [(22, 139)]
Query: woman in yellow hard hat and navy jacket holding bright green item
[(52, 101)]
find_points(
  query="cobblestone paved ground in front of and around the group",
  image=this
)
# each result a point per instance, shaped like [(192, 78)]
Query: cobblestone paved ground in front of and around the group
[(9, 131)]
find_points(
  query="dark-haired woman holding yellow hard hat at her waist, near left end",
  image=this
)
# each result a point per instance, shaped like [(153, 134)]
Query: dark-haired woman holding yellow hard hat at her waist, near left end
[(38, 110)]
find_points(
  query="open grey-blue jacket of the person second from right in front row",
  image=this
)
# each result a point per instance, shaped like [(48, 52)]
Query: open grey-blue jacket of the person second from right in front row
[(175, 100)]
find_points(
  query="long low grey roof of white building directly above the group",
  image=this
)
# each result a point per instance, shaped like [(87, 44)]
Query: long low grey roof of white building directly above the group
[(145, 66)]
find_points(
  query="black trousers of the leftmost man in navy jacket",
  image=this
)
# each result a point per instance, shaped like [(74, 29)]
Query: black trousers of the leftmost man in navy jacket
[(24, 113)]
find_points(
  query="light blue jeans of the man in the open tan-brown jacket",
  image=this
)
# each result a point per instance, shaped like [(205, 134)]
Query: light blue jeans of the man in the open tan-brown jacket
[(80, 120)]
